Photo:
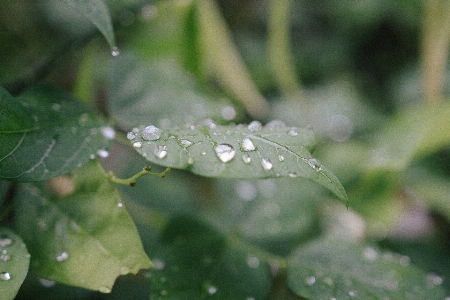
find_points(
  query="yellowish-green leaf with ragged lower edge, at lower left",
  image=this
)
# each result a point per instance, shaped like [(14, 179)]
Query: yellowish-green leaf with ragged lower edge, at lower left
[(83, 237)]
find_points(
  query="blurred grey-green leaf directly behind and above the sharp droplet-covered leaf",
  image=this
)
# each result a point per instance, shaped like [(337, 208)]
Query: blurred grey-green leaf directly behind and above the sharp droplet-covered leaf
[(162, 92)]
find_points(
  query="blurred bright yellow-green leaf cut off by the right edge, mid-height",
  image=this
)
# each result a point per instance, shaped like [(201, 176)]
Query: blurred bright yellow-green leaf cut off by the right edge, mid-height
[(414, 132)]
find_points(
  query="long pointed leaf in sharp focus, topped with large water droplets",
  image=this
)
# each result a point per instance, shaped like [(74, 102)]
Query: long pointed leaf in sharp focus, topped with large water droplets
[(237, 152)]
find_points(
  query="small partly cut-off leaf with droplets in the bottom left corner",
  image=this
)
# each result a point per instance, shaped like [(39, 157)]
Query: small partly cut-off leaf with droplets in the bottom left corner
[(14, 262)]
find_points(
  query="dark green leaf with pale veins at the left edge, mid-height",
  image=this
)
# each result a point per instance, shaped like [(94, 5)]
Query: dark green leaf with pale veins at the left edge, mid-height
[(45, 133)]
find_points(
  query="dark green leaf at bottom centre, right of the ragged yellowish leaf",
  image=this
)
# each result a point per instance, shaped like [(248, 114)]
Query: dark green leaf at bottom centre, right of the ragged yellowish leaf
[(194, 262)]
